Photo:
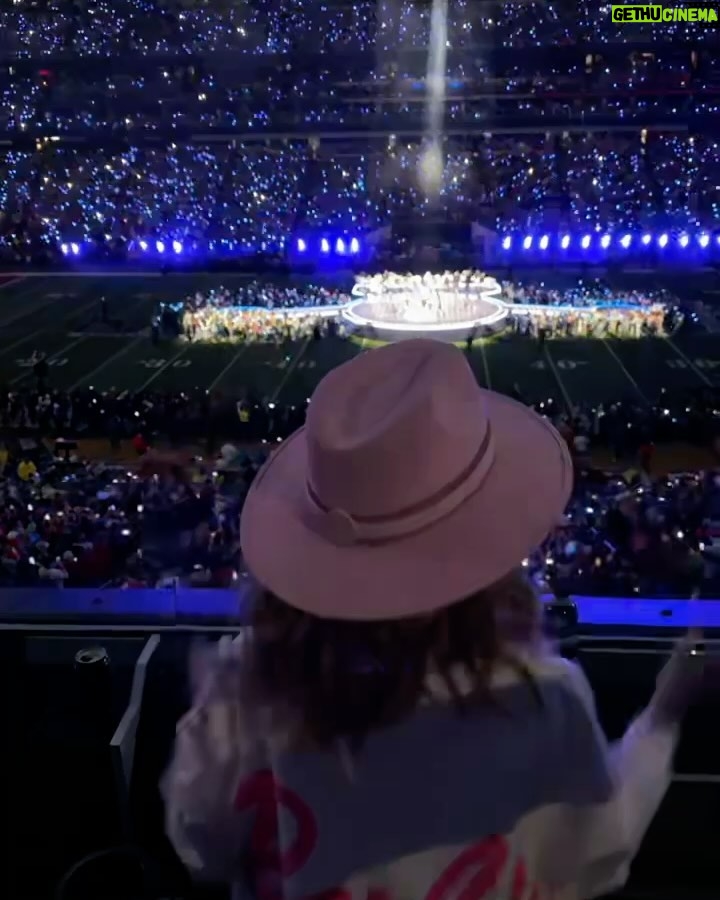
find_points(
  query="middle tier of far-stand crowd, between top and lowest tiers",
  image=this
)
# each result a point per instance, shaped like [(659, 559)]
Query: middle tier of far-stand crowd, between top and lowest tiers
[(197, 95)]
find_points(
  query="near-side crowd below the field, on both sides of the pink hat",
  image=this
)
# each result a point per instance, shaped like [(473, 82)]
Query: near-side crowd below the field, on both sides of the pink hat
[(66, 521)]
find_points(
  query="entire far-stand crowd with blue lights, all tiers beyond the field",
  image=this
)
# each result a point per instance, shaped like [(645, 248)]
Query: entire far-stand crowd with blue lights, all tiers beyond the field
[(615, 192)]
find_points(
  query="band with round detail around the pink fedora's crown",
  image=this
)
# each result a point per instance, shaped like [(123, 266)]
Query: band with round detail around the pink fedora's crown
[(343, 529)]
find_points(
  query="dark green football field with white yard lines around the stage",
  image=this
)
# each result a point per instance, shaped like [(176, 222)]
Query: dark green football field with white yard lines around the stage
[(59, 315)]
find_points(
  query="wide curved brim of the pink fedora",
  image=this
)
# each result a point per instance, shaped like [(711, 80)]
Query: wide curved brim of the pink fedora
[(521, 500)]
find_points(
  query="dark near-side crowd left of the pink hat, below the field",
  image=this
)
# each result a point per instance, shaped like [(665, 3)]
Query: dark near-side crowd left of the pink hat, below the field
[(70, 522)]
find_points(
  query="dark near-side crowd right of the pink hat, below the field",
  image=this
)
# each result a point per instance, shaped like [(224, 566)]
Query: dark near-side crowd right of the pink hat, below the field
[(626, 534)]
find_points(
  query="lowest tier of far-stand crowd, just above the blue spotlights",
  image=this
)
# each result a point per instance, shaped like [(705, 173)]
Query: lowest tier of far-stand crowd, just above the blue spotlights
[(622, 194)]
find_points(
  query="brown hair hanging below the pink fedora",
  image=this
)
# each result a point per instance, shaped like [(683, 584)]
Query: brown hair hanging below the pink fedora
[(342, 680)]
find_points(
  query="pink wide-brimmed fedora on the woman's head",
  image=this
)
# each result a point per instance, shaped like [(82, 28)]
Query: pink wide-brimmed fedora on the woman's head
[(408, 489)]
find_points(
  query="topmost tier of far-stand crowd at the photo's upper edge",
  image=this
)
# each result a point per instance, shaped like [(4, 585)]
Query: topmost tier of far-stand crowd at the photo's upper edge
[(171, 26)]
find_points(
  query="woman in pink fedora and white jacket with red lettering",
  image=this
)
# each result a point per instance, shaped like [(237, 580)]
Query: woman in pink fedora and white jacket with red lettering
[(393, 727)]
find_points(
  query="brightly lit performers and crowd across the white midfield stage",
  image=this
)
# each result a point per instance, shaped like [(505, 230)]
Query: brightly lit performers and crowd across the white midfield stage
[(263, 312)]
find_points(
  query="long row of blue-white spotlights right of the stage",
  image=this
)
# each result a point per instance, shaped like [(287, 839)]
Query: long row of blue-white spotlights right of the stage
[(607, 243)]
